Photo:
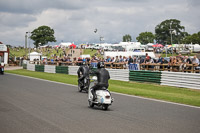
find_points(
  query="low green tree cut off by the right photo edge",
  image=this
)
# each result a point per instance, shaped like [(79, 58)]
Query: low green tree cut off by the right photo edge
[(194, 39)]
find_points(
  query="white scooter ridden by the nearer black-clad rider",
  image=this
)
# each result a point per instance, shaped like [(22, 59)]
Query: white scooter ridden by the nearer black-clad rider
[(103, 99)]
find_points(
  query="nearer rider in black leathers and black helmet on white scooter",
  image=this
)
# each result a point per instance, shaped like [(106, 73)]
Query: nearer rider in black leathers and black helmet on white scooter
[(102, 78)]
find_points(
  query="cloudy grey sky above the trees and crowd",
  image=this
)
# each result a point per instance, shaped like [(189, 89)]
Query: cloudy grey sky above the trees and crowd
[(76, 20)]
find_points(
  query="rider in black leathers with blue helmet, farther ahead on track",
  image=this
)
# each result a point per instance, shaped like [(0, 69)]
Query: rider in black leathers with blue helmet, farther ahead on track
[(83, 72)]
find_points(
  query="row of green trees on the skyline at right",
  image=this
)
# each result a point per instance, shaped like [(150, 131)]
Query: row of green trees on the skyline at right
[(167, 32)]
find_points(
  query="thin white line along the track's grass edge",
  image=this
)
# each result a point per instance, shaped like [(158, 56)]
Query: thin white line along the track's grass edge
[(114, 92)]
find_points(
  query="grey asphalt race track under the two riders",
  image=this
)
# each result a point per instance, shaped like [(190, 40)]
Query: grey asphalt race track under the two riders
[(30, 105)]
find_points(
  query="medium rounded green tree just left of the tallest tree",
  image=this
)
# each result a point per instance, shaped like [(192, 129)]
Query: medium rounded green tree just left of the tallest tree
[(145, 37)]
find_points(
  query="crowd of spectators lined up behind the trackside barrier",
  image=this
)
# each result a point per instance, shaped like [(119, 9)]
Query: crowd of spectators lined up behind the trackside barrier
[(179, 62)]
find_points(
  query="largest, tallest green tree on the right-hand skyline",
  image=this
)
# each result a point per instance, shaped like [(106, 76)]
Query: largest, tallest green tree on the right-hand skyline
[(165, 29)]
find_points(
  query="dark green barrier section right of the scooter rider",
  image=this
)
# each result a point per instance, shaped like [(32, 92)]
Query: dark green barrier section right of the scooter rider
[(145, 76)]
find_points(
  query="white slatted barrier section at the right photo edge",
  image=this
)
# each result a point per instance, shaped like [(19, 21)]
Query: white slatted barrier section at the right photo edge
[(181, 79)]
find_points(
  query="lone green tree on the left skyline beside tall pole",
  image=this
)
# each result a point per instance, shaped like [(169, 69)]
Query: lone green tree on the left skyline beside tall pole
[(42, 35)]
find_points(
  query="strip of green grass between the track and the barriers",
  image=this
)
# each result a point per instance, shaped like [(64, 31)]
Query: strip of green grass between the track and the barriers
[(172, 94)]
